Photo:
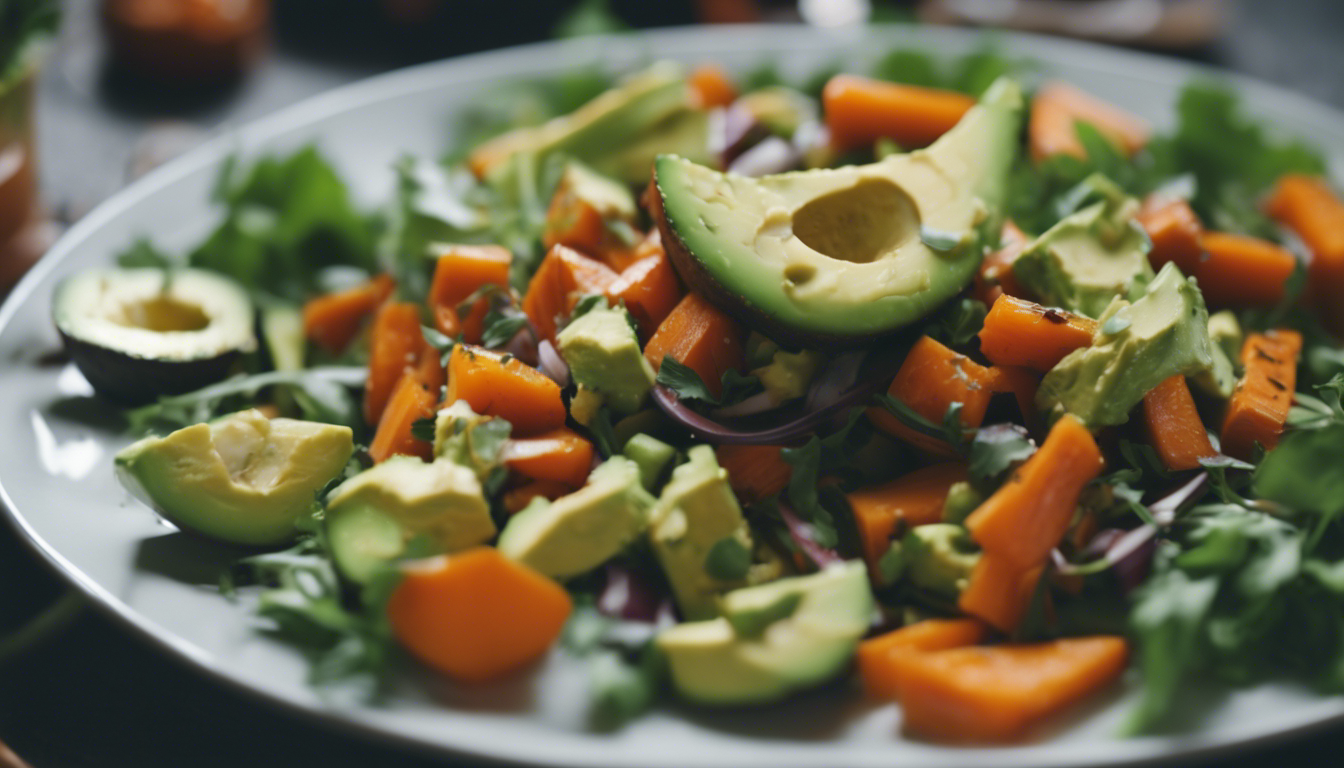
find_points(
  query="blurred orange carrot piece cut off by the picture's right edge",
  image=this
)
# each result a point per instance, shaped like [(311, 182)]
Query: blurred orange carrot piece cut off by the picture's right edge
[(1310, 208)]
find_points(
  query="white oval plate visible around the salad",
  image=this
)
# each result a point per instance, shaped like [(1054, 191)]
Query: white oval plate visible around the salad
[(56, 471)]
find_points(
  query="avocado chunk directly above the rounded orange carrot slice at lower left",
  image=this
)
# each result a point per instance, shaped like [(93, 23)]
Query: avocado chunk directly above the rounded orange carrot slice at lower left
[(440, 501)]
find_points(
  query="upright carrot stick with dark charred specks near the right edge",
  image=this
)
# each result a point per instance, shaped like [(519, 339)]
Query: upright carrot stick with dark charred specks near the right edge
[(1259, 410)]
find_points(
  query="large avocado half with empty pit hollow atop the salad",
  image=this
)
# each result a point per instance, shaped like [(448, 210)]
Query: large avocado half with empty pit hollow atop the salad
[(842, 256)]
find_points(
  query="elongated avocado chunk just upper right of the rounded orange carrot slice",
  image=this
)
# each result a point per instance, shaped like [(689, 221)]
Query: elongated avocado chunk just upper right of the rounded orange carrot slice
[(580, 532)]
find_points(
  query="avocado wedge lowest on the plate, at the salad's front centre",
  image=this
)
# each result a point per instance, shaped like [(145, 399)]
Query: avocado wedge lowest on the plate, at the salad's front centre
[(772, 640)]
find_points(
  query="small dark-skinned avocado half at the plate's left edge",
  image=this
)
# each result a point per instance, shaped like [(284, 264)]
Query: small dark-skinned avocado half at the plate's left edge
[(140, 334)]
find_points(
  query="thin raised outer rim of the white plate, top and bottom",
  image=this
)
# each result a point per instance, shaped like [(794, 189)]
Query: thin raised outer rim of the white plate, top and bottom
[(362, 93)]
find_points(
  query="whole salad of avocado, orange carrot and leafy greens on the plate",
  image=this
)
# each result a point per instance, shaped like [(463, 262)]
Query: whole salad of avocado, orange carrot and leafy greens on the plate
[(971, 393)]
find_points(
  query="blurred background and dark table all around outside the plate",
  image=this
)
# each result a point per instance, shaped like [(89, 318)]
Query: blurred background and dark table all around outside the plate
[(127, 85)]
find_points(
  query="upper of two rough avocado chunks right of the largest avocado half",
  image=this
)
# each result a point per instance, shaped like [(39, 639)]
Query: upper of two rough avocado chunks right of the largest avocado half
[(1089, 258)]
